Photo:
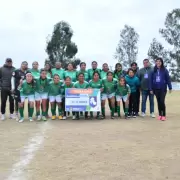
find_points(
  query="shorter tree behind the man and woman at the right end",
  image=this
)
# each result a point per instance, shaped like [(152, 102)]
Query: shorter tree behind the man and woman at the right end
[(156, 50)]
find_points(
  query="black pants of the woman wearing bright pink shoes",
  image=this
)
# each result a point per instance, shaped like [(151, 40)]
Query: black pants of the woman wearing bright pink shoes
[(160, 96)]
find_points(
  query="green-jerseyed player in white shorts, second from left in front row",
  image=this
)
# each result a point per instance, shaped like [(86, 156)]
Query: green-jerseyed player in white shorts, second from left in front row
[(41, 94)]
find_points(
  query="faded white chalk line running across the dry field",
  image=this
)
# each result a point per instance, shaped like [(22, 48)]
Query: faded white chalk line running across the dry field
[(27, 155)]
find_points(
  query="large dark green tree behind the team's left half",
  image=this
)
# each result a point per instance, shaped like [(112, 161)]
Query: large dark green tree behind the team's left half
[(59, 45)]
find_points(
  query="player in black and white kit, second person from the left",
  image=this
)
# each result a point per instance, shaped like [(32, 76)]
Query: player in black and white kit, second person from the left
[(17, 75)]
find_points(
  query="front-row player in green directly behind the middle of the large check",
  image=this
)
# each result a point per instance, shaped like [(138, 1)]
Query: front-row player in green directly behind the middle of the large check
[(81, 84)]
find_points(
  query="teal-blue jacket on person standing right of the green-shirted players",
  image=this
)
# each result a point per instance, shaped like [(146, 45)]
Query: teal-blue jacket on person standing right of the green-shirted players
[(133, 82)]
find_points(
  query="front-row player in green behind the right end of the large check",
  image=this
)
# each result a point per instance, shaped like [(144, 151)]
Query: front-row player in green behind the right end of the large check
[(96, 83)]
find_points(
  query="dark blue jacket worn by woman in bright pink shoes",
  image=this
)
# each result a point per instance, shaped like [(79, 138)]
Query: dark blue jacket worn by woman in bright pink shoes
[(163, 82)]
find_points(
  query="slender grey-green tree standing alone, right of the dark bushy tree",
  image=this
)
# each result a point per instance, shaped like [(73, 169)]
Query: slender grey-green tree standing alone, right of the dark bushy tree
[(127, 49)]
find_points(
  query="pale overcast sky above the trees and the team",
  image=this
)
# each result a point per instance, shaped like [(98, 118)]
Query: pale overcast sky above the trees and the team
[(25, 24)]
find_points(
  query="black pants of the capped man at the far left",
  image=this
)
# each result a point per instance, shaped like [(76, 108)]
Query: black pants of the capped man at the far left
[(4, 95)]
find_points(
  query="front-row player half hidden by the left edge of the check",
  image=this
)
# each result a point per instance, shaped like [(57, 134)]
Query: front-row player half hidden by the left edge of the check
[(67, 84)]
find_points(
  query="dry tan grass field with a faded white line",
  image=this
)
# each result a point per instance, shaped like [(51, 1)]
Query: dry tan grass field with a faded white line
[(133, 149)]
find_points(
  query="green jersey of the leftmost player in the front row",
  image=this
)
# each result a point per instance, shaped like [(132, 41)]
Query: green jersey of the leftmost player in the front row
[(27, 89)]
